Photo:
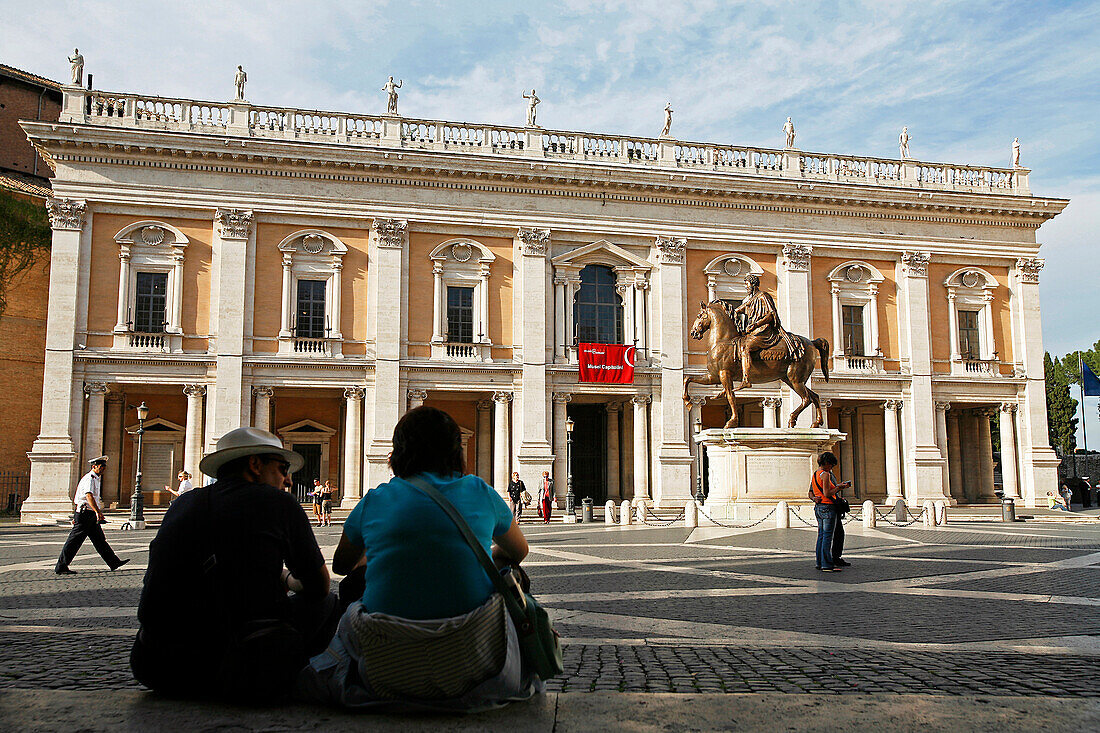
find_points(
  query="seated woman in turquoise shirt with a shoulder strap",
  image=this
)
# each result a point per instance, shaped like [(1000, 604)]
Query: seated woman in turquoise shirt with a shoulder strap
[(399, 642)]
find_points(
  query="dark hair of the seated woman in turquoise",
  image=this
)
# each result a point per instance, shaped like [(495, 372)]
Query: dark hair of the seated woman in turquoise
[(427, 440)]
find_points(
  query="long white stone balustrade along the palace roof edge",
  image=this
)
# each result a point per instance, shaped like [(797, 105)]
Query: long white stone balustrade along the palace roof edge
[(240, 118)]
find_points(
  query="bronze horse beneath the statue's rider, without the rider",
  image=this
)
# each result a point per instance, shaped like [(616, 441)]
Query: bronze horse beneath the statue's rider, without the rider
[(724, 363)]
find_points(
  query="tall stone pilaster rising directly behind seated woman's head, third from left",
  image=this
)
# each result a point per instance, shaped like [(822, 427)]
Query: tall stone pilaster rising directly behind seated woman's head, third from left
[(386, 315)]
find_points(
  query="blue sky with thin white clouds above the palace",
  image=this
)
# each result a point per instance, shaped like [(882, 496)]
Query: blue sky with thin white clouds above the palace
[(966, 78)]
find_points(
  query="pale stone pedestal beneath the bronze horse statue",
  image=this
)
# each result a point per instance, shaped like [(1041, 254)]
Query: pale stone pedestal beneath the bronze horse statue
[(752, 469)]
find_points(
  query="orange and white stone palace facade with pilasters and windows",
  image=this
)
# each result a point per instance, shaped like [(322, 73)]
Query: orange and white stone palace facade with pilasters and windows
[(320, 273)]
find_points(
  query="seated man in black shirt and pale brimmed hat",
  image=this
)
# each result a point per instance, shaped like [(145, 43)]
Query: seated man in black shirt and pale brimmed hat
[(237, 595)]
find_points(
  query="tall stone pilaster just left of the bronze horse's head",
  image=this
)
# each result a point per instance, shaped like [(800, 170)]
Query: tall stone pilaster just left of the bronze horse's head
[(675, 457)]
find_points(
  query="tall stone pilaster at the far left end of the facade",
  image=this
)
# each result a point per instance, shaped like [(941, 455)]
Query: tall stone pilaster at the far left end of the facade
[(53, 457)]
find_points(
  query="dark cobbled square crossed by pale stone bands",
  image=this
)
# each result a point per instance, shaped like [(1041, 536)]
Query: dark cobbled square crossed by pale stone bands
[(986, 609)]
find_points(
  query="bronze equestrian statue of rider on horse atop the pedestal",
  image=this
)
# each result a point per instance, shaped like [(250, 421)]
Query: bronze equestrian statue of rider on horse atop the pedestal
[(760, 354)]
